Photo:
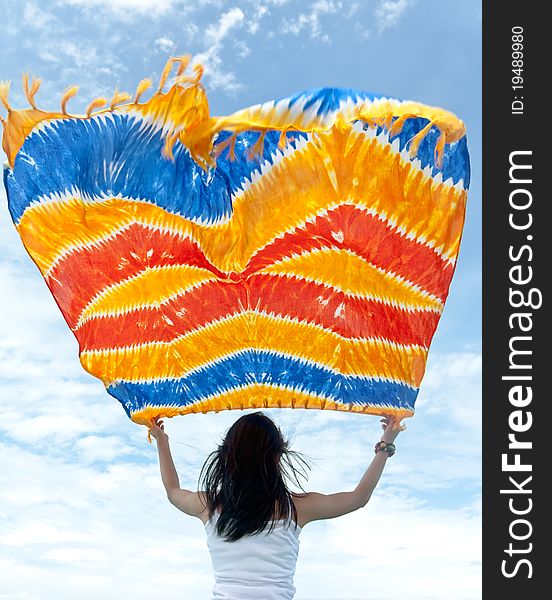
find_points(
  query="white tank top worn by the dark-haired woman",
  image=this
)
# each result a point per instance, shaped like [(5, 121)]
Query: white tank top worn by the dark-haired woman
[(255, 567)]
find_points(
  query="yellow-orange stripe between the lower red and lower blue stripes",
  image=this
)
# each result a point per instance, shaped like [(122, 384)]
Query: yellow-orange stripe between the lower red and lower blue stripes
[(373, 358)]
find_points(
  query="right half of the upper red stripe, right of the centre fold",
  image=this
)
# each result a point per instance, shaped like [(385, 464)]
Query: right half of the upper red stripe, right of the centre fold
[(369, 237)]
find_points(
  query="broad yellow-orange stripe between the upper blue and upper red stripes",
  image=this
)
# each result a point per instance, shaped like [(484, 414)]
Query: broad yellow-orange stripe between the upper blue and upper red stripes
[(293, 191)]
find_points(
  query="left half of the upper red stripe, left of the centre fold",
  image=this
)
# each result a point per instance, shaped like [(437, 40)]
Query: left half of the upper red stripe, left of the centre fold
[(80, 275)]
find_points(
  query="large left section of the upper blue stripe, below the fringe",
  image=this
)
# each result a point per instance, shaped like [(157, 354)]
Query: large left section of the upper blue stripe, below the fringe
[(74, 153)]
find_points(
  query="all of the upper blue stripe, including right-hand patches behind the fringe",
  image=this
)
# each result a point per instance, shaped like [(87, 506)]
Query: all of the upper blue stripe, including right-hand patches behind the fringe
[(73, 152)]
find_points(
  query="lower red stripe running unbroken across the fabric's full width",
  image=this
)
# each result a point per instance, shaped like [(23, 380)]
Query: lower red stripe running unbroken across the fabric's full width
[(306, 301)]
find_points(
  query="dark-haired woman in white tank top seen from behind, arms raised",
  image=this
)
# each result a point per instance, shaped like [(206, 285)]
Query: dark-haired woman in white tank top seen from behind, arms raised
[(251, 519)]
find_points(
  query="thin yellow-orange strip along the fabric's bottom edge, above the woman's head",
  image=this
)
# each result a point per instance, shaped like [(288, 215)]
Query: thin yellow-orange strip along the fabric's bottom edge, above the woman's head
[(261, 396)]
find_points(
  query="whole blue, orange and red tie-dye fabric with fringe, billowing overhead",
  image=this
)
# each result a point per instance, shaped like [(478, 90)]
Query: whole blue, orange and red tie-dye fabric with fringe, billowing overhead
[(297, 253)]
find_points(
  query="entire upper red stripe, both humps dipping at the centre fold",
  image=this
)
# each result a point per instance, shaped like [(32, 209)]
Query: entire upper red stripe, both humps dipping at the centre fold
[(83, 273)]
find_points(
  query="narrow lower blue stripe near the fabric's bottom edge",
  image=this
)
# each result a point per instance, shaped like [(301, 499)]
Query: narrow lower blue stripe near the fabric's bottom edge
[(261, 366)]
